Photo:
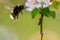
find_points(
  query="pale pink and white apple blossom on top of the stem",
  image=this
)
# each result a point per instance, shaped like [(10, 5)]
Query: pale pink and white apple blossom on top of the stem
[(31, 4)]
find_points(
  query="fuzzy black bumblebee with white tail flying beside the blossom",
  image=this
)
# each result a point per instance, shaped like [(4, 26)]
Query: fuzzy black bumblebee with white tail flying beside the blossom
[(15, 12)]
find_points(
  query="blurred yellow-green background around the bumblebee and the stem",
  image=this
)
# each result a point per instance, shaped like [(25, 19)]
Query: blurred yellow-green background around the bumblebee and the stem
[(25, 26)]
